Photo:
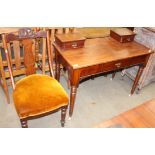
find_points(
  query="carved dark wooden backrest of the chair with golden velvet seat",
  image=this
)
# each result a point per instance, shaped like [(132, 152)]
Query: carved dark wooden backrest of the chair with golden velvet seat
[(23, 41)]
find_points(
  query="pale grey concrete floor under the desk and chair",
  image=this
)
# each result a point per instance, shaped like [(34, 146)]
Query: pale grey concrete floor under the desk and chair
[(97, 100)]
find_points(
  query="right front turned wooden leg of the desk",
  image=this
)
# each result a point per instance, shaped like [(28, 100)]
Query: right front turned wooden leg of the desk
[(139, 73)]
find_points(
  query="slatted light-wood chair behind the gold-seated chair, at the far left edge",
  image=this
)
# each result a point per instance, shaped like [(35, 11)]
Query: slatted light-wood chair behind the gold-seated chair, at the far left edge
[(16, 61)]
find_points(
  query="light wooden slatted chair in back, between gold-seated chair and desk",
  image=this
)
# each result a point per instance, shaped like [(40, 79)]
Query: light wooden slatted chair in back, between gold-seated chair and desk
[(42, 56)]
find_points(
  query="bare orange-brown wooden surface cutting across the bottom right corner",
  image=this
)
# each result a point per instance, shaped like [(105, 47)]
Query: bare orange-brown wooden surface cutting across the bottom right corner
[(142, 116)]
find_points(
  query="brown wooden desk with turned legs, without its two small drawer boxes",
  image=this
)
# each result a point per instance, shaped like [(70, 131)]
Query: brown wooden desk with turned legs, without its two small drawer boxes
[(107, 55)]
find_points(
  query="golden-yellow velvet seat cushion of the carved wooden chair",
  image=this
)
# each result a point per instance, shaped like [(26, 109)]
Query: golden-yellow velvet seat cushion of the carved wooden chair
[(37, 94)]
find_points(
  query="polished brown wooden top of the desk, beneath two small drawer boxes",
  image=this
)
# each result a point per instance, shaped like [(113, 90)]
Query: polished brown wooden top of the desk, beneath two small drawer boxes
[(106, 51)]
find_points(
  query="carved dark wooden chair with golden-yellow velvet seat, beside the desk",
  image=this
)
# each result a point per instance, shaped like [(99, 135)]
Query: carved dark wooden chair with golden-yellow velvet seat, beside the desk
[(35, 95)]
